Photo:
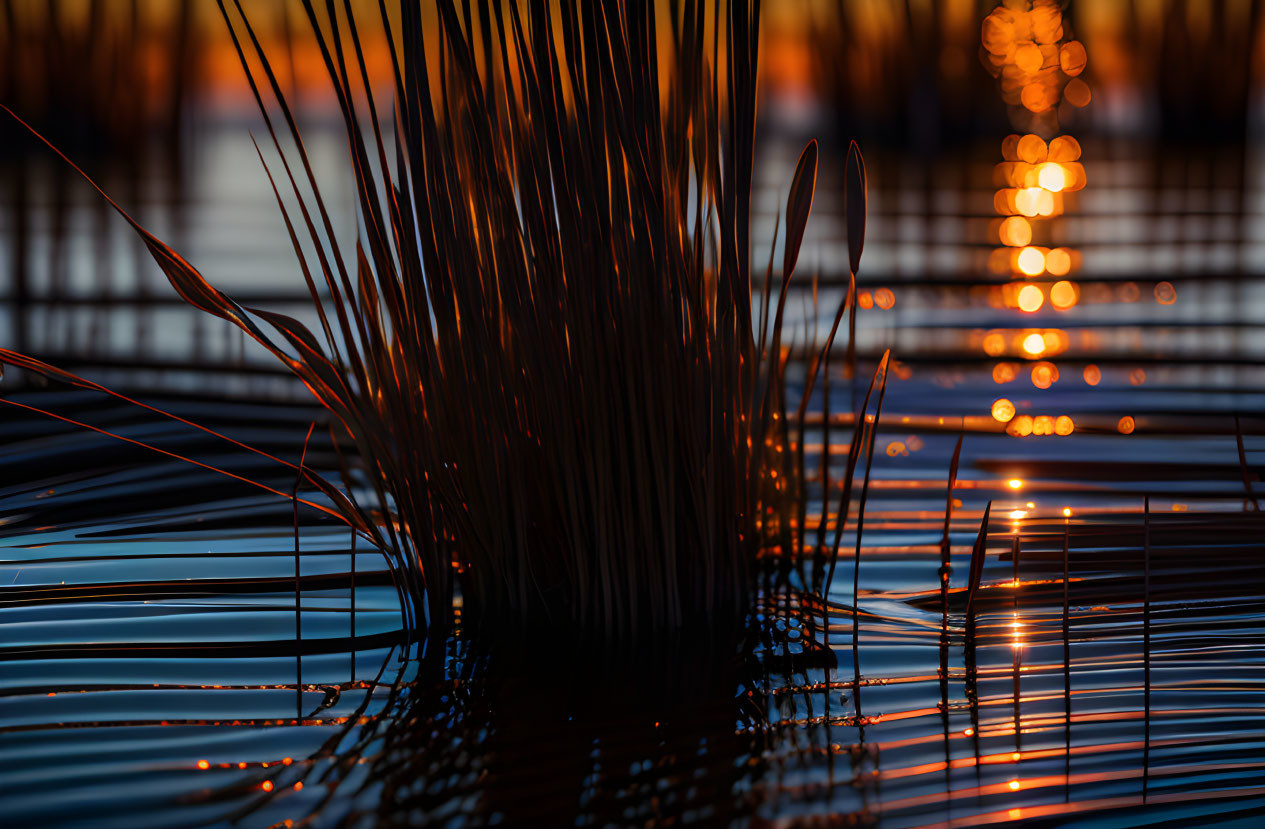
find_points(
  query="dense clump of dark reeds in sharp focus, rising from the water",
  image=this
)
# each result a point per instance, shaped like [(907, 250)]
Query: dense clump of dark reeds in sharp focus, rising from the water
[(541, 358)]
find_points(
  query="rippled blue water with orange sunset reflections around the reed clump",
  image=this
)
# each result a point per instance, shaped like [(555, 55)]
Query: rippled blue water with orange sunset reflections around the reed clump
[(149, 608)]
